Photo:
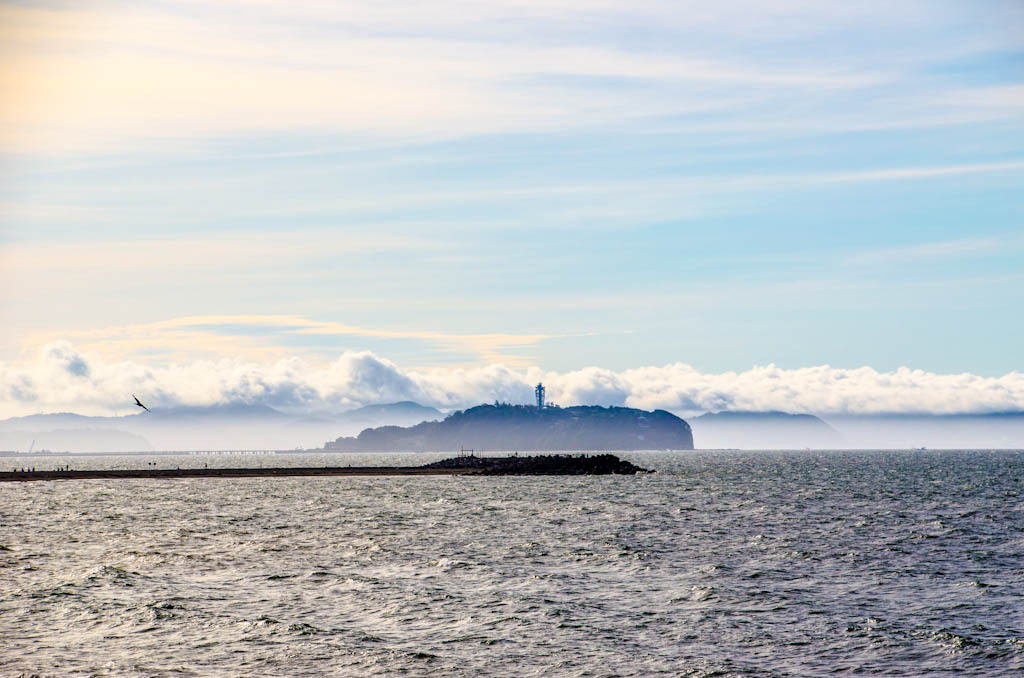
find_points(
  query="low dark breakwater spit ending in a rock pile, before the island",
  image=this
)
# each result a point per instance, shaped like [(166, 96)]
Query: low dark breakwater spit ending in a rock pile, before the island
[(464, 465)]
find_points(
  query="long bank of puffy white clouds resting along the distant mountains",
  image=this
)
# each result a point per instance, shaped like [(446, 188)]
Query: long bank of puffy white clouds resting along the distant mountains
[(60, 378)]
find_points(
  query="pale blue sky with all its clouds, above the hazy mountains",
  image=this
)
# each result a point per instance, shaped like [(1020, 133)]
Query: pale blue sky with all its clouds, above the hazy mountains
[(804, 206)]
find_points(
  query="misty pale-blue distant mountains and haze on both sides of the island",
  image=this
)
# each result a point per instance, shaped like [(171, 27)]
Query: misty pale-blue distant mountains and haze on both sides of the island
[(242, 427)]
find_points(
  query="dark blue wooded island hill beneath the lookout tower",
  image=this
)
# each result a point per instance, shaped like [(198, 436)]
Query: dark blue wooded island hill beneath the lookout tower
[(516, 428)]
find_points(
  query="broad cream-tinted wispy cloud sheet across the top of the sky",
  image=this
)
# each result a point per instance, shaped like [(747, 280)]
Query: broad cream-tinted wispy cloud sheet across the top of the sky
[(133, 75)]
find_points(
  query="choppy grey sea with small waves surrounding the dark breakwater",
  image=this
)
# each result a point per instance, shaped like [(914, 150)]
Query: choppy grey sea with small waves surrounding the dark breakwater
[(723, 564)]
